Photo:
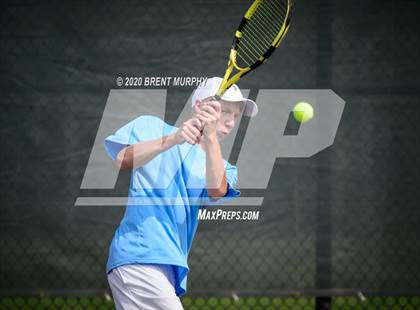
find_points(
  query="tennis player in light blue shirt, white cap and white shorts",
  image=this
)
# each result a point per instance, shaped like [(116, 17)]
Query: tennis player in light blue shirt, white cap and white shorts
[(174, 171)]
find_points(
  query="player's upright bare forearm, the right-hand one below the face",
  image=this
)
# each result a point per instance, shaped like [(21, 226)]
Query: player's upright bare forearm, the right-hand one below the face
[(215, 170)]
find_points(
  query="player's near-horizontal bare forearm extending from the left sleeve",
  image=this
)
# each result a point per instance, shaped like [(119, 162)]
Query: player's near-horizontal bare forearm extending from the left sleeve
[(141, 153)]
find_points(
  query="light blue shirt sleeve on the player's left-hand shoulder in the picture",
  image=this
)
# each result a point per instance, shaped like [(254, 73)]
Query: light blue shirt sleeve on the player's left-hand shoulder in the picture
[(131, 133)]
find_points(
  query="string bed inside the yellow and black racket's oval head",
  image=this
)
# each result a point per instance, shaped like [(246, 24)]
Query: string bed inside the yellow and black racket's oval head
[(261, 30)]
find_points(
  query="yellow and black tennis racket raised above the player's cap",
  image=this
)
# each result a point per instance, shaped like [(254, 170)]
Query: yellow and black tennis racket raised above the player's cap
[(259, 34)]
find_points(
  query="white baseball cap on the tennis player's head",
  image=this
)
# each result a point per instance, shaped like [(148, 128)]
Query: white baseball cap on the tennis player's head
[(210, 87)]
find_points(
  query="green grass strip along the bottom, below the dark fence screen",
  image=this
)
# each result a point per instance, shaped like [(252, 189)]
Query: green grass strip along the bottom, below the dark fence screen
[(213, 303)]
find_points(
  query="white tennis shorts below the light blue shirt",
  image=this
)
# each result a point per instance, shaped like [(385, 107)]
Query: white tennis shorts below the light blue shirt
[(144, 286)]
